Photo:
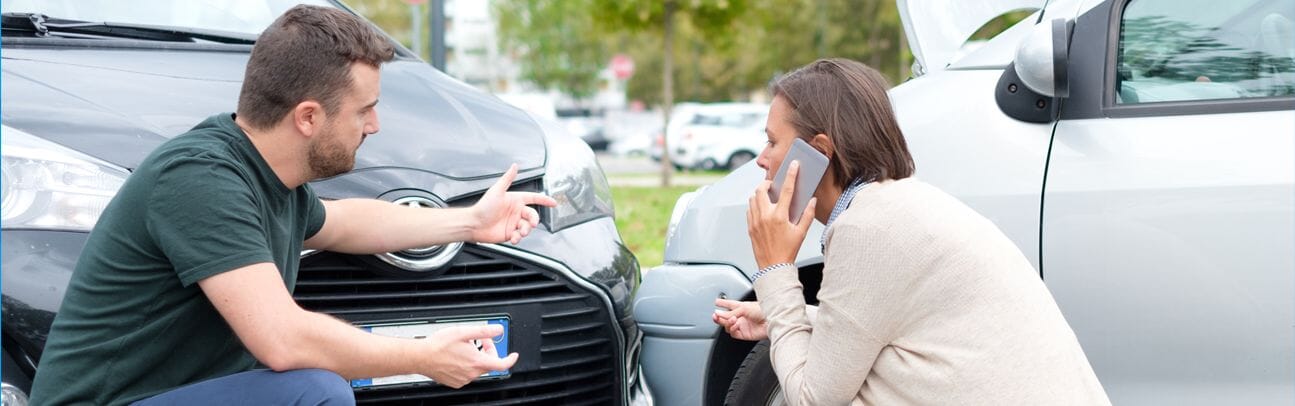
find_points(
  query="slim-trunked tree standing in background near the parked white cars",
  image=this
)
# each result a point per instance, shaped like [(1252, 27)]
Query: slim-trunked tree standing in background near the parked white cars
[(712, 17)]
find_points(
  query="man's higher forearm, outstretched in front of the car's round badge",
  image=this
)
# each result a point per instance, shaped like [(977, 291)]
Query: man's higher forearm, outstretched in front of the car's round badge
[(372, 227)]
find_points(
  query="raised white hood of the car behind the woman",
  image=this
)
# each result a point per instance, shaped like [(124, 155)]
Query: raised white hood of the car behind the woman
[(937, 29)]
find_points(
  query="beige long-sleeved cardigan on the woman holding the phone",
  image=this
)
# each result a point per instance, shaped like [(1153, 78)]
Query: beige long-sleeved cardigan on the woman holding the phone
[(924, 302)]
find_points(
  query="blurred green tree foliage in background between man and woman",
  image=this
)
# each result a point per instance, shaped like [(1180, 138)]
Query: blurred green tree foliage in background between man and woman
[(727, 50)]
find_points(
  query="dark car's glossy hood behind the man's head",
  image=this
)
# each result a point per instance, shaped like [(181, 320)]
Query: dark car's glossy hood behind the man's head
[(120, 104)]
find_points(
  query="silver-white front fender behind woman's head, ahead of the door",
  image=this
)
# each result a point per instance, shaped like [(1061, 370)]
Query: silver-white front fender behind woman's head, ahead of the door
[(1000, 161)]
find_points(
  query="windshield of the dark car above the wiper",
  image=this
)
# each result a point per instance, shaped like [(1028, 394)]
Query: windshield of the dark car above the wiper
[(234, 16)]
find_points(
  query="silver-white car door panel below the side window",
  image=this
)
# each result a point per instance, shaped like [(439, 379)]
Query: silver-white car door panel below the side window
[(1169, 246)]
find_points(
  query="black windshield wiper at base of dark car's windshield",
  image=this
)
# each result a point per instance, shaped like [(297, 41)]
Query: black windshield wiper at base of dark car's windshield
[(45, 27)]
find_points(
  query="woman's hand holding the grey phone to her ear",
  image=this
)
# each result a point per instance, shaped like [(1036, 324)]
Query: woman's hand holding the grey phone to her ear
[(774, 239)]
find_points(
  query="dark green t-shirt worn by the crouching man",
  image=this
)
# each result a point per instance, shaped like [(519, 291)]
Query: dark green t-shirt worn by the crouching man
[(134, 323)]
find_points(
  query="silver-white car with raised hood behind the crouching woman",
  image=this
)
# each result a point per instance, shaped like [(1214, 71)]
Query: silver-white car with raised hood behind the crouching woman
[(1142, 153)]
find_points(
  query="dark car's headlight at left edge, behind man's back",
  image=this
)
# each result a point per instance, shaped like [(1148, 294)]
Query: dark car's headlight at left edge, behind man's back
[(50, 187)]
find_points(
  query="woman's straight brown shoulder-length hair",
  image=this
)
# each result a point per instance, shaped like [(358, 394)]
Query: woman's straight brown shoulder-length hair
[(848, 101)]
